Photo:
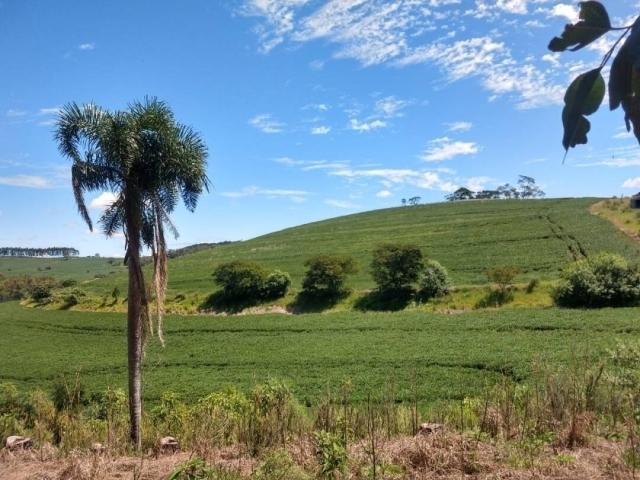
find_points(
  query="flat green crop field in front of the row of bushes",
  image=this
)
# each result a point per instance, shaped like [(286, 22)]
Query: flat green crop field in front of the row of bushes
[(452, 355)]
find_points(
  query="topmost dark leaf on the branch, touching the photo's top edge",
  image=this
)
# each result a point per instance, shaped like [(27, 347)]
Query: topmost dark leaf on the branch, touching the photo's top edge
[(594, 22)]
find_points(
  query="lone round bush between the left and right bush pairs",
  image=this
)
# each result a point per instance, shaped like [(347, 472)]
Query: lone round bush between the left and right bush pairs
[(326, 275)]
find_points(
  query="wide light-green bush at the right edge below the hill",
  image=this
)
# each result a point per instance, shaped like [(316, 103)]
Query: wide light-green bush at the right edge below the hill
[(605, 280)]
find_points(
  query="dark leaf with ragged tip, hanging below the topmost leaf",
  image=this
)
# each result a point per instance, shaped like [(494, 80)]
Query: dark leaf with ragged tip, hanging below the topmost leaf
[(584, 96)]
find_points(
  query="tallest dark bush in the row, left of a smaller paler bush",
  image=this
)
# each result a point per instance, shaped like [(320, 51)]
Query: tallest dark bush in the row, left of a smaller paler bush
[(396, 267)]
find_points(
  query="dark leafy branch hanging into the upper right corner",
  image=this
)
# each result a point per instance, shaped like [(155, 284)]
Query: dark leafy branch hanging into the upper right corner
[(586, 93)]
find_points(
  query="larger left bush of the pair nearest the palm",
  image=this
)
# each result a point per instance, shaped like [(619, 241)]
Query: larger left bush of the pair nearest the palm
[(240, 280)]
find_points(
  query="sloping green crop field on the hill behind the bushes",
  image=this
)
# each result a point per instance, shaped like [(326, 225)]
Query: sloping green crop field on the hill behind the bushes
[(538, 236)]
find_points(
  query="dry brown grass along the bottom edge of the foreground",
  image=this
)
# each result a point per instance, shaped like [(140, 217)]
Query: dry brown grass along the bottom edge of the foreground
[(445, 455)]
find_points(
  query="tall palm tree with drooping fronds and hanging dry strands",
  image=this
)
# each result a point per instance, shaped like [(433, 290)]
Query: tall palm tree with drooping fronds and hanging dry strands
[(148, 161)]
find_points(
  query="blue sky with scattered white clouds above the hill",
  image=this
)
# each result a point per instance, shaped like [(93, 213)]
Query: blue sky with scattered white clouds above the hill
[(310, 108)]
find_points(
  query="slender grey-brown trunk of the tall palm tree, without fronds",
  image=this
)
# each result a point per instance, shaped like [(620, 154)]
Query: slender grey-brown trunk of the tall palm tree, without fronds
[(134, 318)]
